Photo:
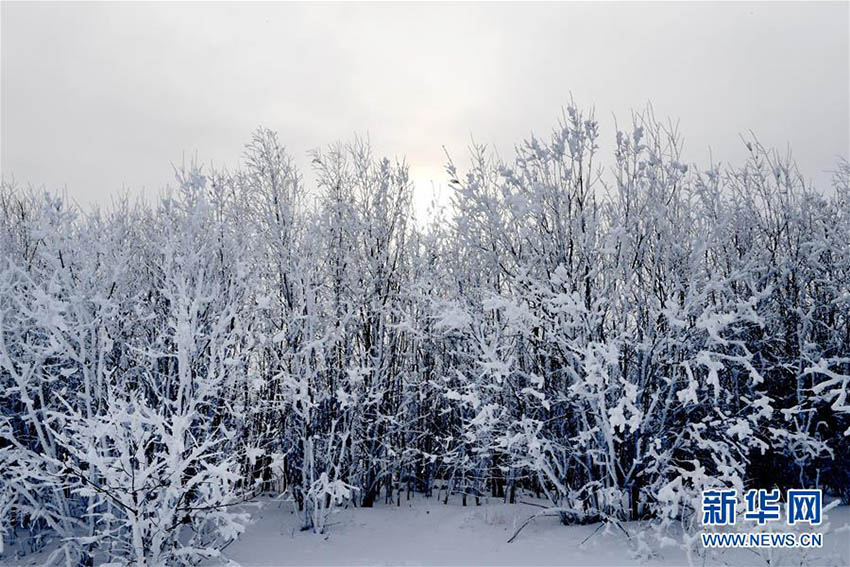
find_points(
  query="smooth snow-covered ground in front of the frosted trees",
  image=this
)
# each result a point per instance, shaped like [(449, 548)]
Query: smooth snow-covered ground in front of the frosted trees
[(424, 531)]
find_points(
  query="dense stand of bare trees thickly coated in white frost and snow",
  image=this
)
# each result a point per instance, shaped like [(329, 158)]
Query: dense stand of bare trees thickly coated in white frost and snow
[(609, 332)]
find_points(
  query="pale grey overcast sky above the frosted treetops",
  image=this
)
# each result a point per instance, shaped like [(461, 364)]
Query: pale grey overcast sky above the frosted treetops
[(96, 97)]
